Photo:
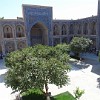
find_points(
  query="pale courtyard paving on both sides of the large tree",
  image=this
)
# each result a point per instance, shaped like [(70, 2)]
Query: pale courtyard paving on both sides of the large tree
[(85, 75)]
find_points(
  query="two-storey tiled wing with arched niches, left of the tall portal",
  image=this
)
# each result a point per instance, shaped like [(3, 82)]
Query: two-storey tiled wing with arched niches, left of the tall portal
[(12, 35)]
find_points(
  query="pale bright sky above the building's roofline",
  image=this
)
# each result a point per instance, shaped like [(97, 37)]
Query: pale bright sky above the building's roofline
[(62, 9)]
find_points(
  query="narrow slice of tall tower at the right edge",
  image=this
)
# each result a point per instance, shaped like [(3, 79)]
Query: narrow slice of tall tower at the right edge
[(98, 27)]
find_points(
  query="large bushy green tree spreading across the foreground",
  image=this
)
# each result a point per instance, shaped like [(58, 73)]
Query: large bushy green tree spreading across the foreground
[(36, 67)]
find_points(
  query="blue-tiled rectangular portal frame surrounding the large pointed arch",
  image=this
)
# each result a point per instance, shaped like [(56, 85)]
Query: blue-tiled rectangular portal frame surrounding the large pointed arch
[(35, 14)]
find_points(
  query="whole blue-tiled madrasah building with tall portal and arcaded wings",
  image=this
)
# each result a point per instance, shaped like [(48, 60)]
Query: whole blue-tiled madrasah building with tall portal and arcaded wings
[(38, 27)]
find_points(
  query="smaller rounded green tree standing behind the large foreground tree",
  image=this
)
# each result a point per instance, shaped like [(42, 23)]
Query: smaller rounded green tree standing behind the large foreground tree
[(80, 44)]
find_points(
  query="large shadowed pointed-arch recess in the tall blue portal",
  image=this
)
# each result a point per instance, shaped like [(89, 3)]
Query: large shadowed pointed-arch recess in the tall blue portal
[(39, 34)]
